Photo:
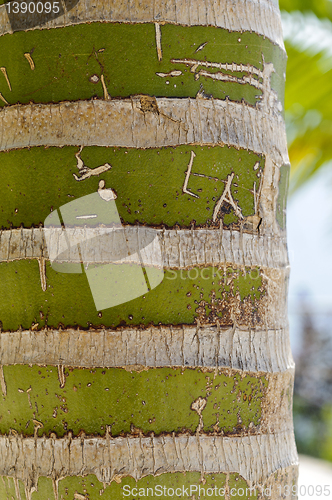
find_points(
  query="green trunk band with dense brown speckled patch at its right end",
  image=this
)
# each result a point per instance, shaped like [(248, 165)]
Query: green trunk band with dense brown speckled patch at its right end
[(213, 295)]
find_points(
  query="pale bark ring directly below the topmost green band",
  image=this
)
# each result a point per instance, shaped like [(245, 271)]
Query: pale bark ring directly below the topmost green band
[(124, 123)]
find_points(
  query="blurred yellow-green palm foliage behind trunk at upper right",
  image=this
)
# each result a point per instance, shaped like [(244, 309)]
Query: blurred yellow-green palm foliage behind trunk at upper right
[(308, 105)]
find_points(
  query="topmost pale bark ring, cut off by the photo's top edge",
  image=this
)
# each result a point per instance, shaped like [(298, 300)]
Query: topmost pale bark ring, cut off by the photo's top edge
[(259, 16)]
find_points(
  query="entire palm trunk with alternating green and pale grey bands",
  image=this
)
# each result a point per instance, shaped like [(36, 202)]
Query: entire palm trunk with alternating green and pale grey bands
[(171, 112)]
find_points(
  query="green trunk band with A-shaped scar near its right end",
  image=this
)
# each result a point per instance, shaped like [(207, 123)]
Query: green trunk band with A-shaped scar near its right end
[(148, 183)]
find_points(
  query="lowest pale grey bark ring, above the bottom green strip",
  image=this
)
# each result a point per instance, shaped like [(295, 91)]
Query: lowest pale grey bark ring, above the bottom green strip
[(254, 457)]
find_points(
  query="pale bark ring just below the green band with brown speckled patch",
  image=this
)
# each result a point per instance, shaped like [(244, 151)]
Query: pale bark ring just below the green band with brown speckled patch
[(208, 346)]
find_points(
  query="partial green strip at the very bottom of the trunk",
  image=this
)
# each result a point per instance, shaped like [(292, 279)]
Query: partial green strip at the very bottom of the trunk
[(90, 488)]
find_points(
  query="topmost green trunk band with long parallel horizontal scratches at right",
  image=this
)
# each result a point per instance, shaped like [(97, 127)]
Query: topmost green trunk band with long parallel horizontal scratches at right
[(69, 60)]
